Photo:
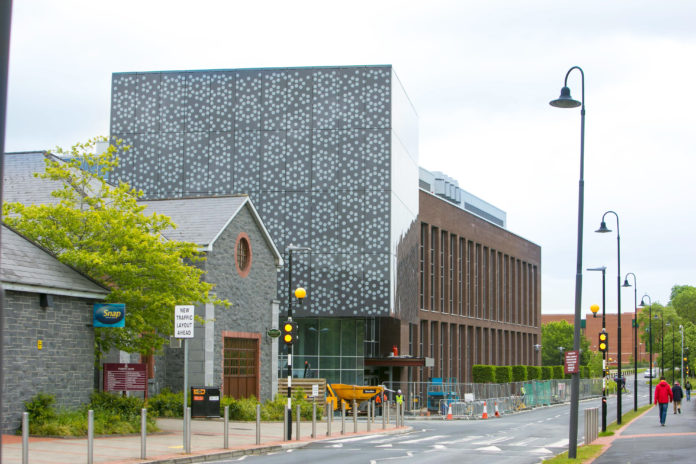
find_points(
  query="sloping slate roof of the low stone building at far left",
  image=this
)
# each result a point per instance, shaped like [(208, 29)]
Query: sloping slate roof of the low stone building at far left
[(28, 267)]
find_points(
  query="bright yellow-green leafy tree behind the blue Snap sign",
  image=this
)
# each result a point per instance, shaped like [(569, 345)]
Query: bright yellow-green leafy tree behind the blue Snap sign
[(100, 229)]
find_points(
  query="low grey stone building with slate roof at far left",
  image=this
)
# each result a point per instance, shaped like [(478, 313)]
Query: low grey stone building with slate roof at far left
[(47, 328)]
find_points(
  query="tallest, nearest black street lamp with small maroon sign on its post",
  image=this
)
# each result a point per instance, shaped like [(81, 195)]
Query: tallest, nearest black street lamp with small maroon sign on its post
[(565, 101)]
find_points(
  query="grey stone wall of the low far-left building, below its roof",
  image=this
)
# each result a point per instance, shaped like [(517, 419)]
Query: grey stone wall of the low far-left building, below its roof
[(63, 367)]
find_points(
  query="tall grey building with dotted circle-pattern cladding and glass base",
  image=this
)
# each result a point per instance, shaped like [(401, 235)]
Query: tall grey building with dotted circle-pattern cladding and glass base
[(330, 158)]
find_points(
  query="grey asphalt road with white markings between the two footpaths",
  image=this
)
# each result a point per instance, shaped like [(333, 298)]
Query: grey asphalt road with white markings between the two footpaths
[(525, 437)]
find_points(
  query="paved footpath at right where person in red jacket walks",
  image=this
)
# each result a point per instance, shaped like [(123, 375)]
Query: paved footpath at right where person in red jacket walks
[(645, 441)]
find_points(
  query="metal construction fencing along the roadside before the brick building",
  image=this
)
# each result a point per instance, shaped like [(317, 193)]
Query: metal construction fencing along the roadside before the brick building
[(471, 400)]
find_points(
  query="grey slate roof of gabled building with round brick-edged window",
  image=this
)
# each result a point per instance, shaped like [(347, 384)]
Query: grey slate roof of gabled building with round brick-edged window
[(201, 220)]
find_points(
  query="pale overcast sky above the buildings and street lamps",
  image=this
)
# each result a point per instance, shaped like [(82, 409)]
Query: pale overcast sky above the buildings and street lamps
[(480, 75)]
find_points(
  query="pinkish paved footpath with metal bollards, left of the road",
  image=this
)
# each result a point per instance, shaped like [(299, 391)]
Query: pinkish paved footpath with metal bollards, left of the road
[(166, 446)]
